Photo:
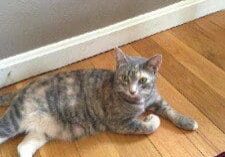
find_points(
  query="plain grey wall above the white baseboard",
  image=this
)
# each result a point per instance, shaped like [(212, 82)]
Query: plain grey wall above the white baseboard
[(29, 24)]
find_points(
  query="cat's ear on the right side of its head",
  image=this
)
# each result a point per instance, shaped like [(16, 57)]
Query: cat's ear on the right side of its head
[(154, 63)]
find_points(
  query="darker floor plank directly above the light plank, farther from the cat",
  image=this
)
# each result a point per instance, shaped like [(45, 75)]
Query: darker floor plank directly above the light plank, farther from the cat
[(191, 35)]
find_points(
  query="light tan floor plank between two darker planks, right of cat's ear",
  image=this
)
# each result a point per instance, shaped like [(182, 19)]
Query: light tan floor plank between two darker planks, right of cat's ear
[(202, 68)]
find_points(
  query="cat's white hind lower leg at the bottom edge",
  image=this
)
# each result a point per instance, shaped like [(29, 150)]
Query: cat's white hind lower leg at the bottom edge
[(31, 143)]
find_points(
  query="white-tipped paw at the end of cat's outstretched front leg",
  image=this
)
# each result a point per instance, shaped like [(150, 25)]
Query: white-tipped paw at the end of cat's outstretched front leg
[(187, 123)]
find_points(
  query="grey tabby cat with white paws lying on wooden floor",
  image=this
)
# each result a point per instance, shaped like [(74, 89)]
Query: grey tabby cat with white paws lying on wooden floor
[(79, 103)]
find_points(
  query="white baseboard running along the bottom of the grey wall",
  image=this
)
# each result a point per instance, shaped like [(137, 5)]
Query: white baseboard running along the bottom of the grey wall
[(65, 52)]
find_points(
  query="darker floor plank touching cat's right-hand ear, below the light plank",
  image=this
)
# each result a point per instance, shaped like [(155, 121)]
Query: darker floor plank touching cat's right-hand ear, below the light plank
[(199, 93)]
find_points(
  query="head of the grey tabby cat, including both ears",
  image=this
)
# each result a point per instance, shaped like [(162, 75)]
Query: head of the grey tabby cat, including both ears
[(135, 76)]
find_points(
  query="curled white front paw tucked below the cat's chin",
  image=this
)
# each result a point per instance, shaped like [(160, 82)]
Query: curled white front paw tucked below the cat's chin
[(152, 122)]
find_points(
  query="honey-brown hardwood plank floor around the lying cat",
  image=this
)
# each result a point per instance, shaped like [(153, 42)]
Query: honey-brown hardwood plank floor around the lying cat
[(192, 79)]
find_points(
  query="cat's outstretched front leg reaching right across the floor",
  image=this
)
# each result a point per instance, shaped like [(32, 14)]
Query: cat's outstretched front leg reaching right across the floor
[(161, 107)]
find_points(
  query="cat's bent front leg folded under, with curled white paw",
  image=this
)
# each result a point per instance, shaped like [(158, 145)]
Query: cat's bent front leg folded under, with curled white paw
[(137, 126)]
